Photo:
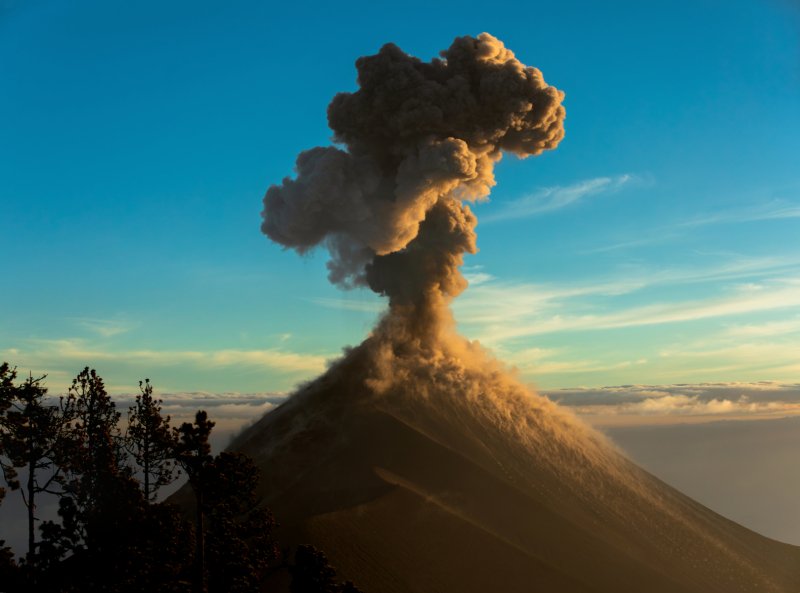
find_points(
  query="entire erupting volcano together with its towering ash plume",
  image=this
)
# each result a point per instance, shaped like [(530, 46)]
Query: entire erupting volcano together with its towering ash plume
[(417, 462)]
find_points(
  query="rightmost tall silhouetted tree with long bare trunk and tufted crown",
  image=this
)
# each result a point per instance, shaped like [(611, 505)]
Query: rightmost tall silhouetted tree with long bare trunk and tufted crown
[(193, 454)]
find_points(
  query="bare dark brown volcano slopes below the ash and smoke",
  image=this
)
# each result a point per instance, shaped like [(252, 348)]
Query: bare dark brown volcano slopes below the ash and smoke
[(413, 494)]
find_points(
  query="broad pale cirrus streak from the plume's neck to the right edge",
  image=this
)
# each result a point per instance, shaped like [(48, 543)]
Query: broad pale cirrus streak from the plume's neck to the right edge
[(499, 312)]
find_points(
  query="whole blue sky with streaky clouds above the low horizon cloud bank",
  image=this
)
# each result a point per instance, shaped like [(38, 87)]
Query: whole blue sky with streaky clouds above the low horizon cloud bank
[(658, 244)]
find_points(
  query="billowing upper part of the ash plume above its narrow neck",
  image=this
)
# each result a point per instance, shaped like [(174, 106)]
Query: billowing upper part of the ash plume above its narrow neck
[(420, 139)]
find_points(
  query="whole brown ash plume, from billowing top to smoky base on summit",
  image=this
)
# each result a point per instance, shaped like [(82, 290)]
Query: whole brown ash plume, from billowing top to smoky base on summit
[(420, 141)]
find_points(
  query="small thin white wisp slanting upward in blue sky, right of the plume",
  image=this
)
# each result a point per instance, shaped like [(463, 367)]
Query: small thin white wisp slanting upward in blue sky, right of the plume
[(550, 199)]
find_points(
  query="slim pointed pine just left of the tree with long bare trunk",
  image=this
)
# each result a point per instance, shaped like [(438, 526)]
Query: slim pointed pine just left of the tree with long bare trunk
[(150, 441)]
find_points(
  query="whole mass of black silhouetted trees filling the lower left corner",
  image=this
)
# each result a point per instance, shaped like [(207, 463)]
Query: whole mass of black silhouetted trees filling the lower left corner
[(110, 536)]
